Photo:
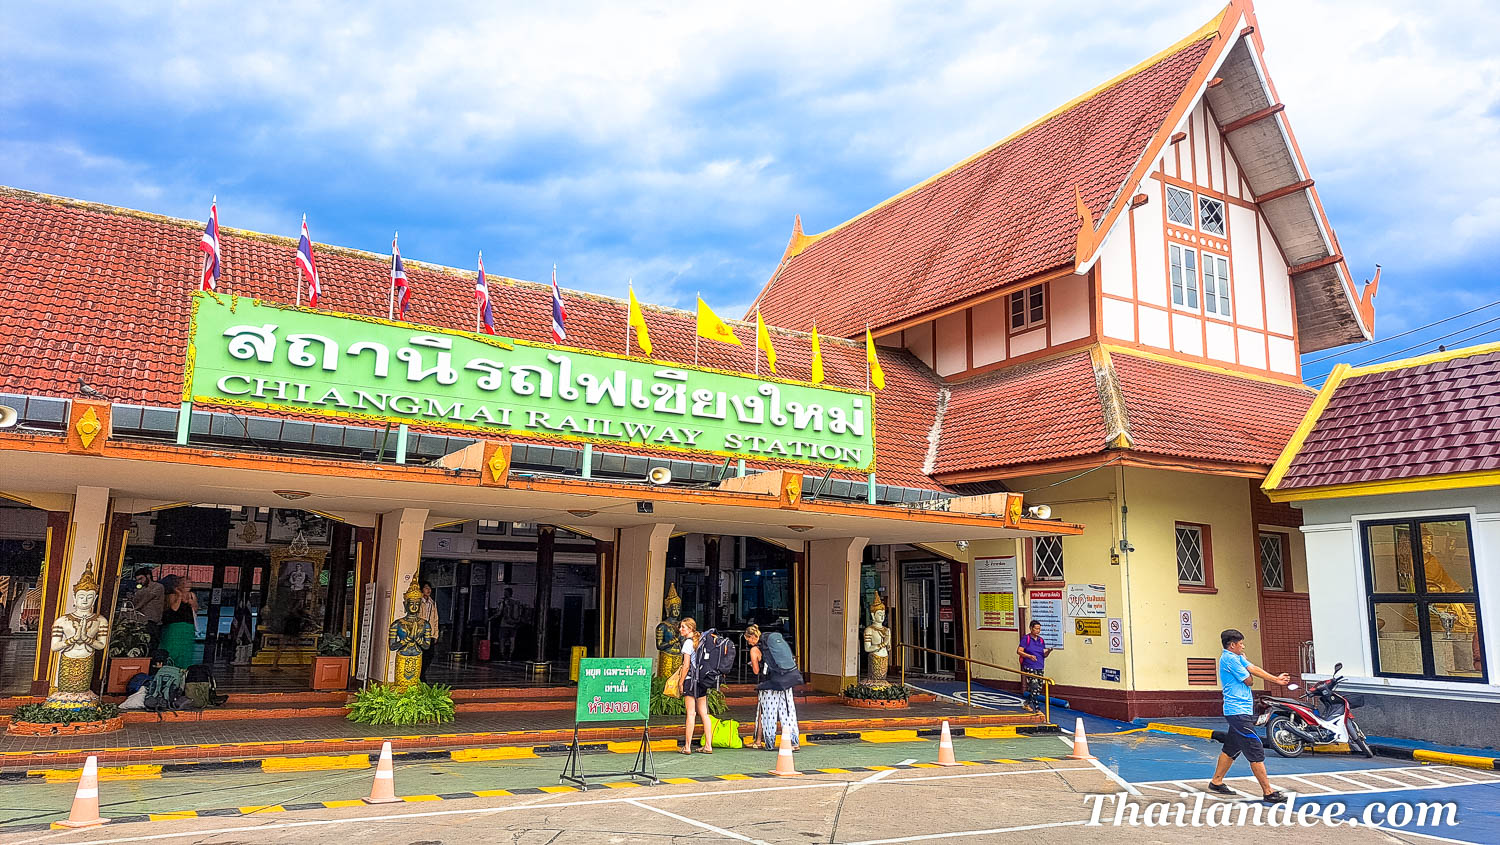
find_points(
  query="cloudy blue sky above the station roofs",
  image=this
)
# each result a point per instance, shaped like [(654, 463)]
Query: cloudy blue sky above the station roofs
[(674, 143)]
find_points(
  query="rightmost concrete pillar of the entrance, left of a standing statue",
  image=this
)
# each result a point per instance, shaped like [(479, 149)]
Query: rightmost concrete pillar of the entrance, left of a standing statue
[(833, 612)]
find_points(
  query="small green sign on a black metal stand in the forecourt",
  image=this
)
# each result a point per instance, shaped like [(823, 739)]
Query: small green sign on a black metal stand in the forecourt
[(613, 690)]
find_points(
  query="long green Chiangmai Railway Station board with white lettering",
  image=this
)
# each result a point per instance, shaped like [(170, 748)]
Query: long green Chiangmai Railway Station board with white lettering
[(257, 355)]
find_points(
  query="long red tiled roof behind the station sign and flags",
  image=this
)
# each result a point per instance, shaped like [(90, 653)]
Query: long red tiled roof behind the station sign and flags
[(103, 295)]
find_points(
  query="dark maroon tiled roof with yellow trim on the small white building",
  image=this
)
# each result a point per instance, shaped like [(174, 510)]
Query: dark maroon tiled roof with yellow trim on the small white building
[(1429, 419)]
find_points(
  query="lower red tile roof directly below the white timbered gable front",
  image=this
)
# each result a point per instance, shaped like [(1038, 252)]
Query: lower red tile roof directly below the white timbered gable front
[(1187, 412)]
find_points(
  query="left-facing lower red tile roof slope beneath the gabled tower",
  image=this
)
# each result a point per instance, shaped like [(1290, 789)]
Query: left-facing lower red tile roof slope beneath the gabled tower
[(1037, 412)]
